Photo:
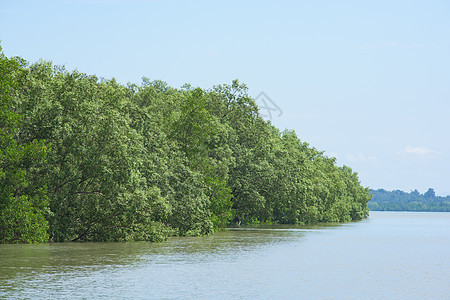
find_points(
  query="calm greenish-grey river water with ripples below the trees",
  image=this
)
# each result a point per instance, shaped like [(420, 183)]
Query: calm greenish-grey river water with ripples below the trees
[(388, 256)]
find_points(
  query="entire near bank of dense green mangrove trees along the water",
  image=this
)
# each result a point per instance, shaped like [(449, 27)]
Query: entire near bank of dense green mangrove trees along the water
[(88, 159)]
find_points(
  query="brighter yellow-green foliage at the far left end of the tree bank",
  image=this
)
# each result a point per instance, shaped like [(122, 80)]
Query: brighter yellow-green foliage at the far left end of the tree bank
[(22, 210)]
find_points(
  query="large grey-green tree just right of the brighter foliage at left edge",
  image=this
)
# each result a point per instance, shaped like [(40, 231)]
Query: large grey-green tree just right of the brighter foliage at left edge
[(96, 189)]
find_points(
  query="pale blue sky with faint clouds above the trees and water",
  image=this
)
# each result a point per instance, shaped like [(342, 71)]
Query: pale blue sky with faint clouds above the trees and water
[(368, 82)]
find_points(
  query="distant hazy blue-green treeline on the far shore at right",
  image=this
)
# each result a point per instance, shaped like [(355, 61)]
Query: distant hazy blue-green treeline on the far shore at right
[(414, 201)]
